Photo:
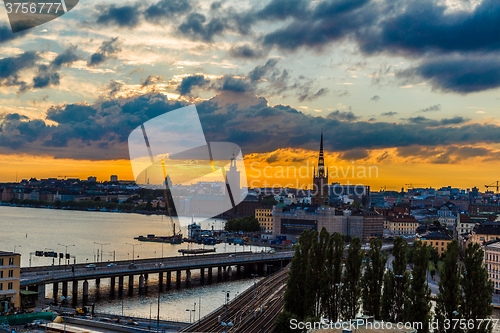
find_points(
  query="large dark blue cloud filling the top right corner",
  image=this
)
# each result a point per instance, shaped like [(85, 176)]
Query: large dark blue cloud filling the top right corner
[(418, 27)]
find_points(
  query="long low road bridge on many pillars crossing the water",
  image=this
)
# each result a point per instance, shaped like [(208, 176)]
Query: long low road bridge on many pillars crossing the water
[(225, 264)]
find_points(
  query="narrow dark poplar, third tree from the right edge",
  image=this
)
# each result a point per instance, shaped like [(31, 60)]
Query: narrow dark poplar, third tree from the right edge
[(418, 306)]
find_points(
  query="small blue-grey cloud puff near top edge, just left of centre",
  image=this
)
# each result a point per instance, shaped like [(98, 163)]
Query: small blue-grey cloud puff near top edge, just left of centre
[(197, 27)]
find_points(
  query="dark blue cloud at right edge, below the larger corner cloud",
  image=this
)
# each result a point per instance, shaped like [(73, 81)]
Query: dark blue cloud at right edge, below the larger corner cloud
[(458, 74)]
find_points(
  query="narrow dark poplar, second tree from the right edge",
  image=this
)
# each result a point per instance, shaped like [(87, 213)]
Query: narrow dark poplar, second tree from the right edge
[(449, 295)]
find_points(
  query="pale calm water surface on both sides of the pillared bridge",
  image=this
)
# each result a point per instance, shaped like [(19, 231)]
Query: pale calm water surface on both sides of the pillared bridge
[(36, 229)]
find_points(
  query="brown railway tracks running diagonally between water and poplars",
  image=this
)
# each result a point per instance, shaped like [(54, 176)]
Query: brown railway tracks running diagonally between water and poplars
[(253, 311)]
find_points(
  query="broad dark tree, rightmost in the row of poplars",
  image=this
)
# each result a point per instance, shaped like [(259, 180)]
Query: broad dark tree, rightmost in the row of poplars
[(477, 289)]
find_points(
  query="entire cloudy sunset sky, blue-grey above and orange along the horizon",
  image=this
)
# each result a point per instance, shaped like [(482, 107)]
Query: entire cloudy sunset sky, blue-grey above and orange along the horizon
[(407, 87)]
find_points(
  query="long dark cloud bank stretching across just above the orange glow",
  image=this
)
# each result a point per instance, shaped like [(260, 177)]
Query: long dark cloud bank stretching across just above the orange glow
[(251, 123)]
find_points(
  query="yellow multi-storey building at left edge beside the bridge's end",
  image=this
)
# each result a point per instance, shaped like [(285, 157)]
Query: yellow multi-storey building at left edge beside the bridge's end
[(10, 276)]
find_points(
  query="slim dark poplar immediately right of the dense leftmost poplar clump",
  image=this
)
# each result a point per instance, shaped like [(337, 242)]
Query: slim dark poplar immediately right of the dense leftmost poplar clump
[(351, 293)]
